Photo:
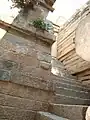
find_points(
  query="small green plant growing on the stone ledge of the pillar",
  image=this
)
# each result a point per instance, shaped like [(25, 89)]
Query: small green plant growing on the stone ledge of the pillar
[(44, 25)]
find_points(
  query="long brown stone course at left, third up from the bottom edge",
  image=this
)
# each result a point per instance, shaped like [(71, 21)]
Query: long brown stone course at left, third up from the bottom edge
[(26, 92)]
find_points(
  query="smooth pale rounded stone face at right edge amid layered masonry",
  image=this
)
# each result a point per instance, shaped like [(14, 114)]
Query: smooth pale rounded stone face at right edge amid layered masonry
[(83, 39)]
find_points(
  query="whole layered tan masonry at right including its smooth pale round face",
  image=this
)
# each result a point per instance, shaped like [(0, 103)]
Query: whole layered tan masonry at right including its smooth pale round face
[(69, 38)]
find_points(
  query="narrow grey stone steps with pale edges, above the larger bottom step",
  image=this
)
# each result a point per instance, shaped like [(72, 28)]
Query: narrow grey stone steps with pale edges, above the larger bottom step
[(72, 93)]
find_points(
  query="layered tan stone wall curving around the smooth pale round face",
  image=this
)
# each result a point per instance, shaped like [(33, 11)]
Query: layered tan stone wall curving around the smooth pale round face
[(66, 48)]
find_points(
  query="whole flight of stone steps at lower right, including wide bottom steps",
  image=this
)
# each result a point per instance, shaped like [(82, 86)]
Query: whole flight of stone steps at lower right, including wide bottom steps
[(71, 101)]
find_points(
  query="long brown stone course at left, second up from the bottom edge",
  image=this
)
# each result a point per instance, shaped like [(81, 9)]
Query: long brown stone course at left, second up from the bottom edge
[(22, 103)]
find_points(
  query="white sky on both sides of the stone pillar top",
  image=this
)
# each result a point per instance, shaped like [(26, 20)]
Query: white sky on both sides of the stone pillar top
[(63, 8)]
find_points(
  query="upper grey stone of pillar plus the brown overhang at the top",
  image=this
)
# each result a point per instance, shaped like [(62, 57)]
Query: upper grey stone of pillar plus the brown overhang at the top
[(40, 11)]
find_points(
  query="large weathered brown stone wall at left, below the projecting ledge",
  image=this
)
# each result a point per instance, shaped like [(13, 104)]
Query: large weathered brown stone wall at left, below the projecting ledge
[(25, 83)]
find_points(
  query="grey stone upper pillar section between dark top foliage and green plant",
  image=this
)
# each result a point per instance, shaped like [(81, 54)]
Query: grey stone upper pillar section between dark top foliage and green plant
[(23, 19)]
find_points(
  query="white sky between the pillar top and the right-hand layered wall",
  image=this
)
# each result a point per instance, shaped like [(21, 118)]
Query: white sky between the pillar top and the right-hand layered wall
[(64, 9)]
